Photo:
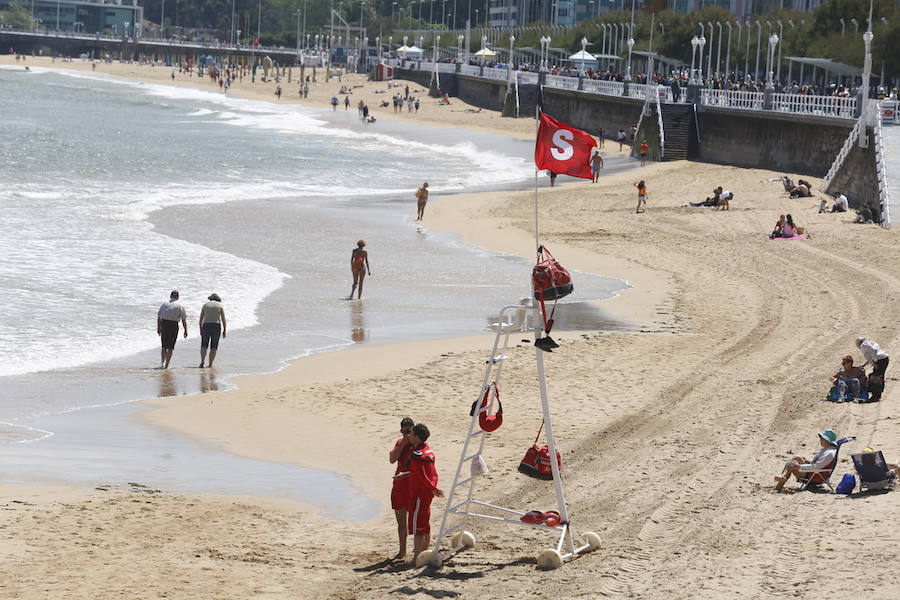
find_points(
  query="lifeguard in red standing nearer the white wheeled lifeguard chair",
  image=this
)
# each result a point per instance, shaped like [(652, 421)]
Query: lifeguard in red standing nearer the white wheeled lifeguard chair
[(422, 488)]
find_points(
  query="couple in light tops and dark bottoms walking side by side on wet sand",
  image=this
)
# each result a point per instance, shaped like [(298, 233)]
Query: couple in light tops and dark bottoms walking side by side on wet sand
[(212, 326)]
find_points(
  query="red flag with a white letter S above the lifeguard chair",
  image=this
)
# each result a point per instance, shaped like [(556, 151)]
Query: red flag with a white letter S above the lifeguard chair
[(563, 149)]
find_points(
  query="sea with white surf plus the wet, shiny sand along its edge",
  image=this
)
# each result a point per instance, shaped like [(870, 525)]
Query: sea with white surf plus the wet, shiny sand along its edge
[(116, 193)]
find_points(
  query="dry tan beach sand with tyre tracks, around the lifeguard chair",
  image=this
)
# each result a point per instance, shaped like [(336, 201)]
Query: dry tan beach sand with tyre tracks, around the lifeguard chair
[(670, 431)]
